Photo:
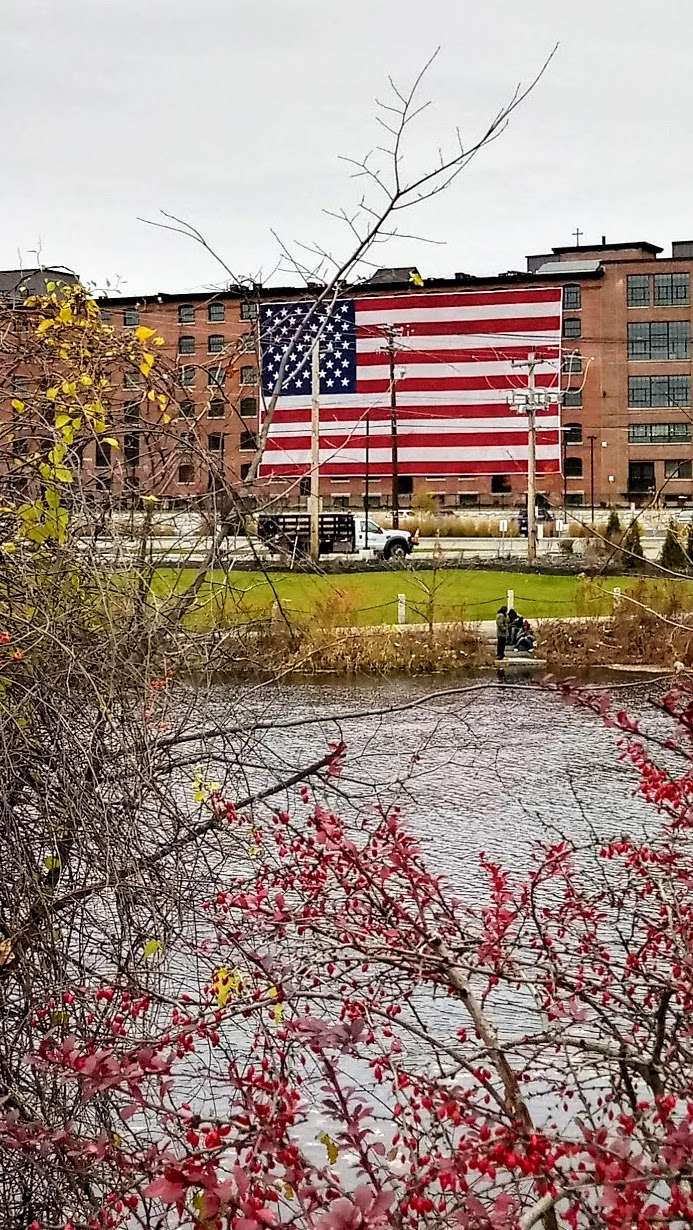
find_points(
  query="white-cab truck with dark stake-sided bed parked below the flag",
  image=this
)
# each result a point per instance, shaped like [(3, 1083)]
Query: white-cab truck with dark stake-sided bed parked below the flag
[(289, 534)]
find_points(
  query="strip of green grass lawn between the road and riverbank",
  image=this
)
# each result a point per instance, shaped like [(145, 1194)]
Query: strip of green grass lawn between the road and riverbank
[(364, 598)]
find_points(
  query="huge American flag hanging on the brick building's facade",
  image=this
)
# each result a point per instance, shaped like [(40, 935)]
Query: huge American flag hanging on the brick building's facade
[(455, 382)]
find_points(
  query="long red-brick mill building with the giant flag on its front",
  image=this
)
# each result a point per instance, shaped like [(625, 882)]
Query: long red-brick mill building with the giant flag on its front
[(627, 382)]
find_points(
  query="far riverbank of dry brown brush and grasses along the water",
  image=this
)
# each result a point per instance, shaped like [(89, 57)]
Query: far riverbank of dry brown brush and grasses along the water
[(647, 629)]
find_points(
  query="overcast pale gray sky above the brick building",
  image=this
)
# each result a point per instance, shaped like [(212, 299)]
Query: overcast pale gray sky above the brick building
[(233, 114)]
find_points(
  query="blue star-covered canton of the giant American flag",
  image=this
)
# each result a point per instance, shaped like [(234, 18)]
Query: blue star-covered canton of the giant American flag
[(335, 325)]
